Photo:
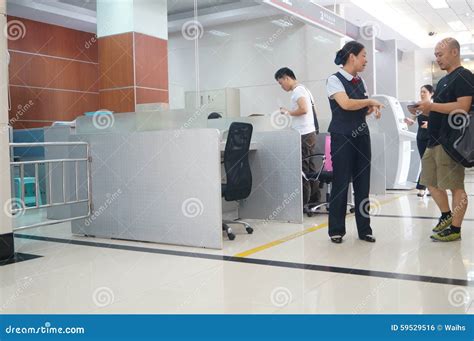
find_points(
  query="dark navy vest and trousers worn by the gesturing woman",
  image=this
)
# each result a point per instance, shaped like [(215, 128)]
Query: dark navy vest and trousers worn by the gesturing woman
[(350, 154)]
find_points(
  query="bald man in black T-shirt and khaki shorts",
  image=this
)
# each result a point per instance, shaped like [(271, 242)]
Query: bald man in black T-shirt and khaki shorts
[(440, 172)]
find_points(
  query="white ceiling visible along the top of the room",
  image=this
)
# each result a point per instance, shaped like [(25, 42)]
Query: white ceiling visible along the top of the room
[(407, 21)]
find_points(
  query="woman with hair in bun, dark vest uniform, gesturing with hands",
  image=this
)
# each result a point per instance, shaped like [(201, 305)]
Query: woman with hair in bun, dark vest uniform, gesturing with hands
[(350, 141)]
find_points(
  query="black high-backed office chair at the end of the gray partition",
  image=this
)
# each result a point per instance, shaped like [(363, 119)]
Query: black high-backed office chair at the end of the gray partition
[(237, 170)]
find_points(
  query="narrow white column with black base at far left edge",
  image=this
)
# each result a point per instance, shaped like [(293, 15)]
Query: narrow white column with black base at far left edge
[(6, 232)]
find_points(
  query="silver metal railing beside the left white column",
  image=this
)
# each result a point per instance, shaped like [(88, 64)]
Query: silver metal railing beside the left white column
[(49, 167)]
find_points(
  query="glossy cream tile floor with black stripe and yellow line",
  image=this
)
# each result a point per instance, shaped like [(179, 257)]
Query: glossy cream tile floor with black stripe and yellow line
[(71, 278)]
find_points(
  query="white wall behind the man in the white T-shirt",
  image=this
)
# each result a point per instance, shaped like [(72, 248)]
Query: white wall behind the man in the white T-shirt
[(248, 58)]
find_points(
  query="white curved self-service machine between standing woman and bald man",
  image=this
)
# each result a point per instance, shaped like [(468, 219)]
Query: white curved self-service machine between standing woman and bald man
[(398, 141)]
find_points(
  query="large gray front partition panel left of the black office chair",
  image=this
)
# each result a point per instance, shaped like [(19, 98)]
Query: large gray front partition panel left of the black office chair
[(158, 186)]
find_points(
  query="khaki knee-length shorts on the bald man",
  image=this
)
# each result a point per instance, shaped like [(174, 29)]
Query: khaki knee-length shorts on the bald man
[(439, 170)]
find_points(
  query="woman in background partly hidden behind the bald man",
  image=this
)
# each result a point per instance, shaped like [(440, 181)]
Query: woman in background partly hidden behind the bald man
[(422, 136)]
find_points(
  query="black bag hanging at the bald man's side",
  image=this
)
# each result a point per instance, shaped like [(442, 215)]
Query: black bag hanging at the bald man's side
[(458, 140)]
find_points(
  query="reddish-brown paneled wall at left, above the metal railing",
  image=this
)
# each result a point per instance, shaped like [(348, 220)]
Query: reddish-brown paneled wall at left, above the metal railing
[(47, 61)]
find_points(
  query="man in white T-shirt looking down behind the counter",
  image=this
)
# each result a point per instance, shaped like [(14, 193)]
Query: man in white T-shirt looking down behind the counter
[(303, 119)]
